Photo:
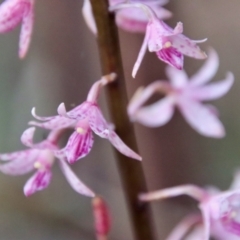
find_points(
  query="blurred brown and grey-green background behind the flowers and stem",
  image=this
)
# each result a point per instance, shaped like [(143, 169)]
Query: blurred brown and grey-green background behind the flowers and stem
[(61, 66)]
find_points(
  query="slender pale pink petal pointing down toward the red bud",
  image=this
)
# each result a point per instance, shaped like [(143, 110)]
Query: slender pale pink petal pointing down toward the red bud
[(74, 181)]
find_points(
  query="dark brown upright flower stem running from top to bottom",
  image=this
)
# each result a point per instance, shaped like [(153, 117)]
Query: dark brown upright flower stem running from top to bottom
[(131, 171)]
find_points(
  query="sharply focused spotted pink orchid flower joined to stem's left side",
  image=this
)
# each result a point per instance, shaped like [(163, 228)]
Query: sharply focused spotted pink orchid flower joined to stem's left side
[(85, 118)]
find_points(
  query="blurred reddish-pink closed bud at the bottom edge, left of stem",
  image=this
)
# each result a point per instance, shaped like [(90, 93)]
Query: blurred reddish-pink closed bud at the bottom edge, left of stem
[(101, 218)]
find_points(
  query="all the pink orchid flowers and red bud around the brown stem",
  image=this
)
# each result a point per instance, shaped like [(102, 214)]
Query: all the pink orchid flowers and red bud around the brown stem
[(220, 216)]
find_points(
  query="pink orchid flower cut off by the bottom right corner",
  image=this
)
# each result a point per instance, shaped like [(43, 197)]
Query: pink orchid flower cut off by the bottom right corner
[(220, 211)]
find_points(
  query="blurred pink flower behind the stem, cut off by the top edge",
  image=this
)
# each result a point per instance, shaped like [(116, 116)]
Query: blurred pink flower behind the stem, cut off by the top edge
[(131, 19)]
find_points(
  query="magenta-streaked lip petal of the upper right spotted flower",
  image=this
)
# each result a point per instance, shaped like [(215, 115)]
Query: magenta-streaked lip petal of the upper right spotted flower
[(171, 56)]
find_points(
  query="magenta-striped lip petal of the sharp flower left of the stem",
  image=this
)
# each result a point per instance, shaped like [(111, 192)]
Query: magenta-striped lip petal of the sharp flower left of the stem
[(78, 146)]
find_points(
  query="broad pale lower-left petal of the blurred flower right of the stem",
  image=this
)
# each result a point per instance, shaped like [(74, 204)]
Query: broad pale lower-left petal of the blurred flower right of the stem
[(156, 114)]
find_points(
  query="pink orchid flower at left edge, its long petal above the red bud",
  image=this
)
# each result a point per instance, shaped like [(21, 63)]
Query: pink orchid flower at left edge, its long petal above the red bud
[(40, 157)]
